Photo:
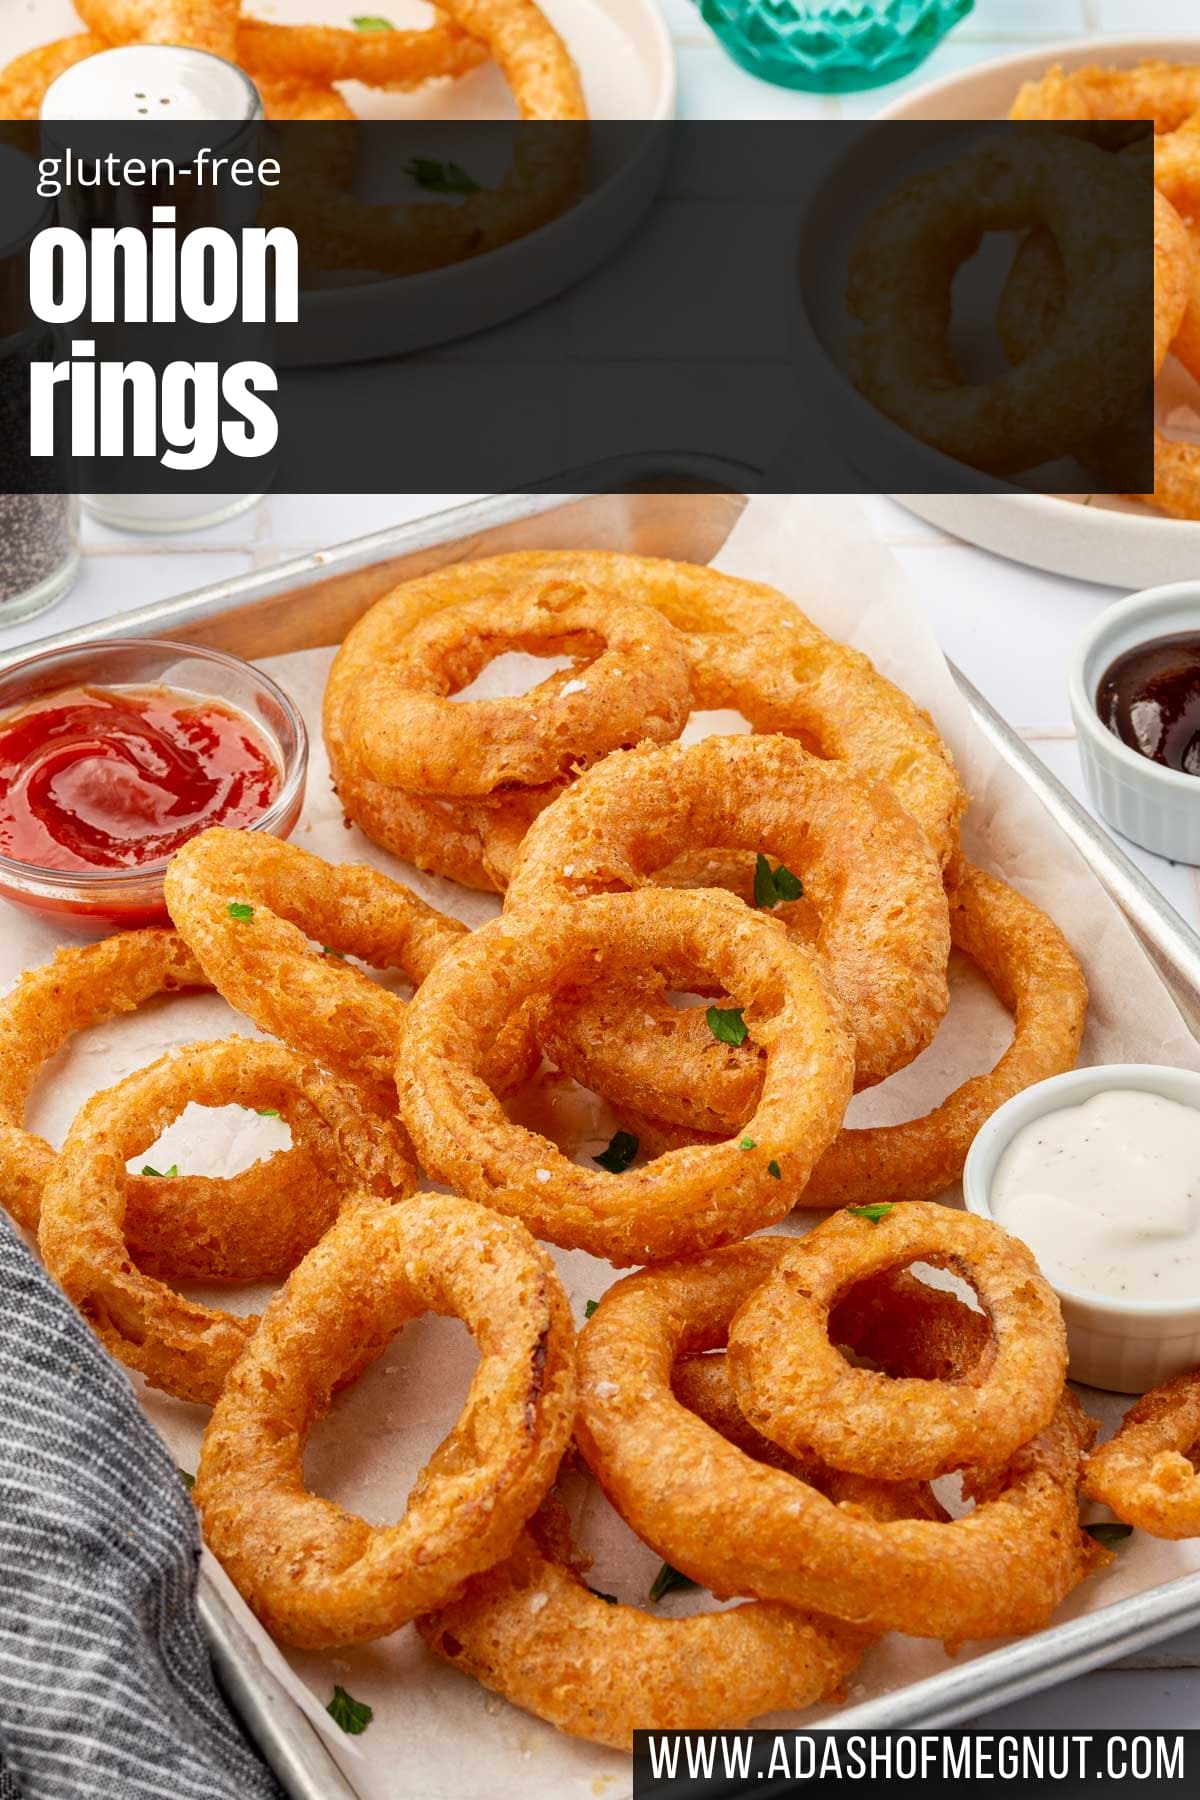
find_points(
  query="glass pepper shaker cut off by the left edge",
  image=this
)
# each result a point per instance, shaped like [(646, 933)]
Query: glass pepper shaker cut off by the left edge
[(39, 532)]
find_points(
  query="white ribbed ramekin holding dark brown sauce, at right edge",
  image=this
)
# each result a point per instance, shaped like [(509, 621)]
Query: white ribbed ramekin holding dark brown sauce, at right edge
[(1143, 800)]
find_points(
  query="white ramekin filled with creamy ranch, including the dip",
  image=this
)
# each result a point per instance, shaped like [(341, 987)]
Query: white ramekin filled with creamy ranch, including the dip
[(1107, 1196)]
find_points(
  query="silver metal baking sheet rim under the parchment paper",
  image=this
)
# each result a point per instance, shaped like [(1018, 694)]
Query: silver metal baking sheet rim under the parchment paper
[(658, 507)]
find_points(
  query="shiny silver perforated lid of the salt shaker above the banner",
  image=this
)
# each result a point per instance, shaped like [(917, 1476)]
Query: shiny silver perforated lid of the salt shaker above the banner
[(161, 82)]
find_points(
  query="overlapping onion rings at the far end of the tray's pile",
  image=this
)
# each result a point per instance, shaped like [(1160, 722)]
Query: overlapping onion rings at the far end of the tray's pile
[(748, 649)]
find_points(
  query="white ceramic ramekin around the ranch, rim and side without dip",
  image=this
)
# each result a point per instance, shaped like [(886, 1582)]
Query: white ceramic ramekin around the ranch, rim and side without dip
[(1122, 1345)]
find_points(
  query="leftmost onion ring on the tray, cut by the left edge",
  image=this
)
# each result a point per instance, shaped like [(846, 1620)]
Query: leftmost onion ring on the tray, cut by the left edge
[(244, 1228)]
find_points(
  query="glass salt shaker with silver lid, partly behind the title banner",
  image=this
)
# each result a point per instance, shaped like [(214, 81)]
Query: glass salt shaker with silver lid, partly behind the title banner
[(170, 84)]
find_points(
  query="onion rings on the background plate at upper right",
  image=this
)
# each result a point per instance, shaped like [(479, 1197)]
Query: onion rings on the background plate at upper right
[(902, 357)]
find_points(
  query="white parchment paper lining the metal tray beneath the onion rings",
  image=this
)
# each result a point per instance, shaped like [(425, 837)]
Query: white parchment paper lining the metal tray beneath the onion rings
[(438, 1736)]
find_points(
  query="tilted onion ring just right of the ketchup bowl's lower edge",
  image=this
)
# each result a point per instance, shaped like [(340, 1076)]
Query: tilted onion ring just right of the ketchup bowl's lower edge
[(267, 967)]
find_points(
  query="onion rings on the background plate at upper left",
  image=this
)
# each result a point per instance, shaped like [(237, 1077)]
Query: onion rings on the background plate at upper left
[(298, 71)]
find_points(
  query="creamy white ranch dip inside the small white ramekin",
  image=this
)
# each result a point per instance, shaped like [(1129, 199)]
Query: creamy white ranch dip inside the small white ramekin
[(1107, 1196)]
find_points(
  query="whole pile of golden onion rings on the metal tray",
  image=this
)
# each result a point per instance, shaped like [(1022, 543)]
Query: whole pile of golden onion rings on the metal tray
[(766, 1414)]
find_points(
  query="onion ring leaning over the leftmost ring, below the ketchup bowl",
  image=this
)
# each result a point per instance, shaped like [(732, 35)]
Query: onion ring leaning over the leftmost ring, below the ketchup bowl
[(179, 1345)]
